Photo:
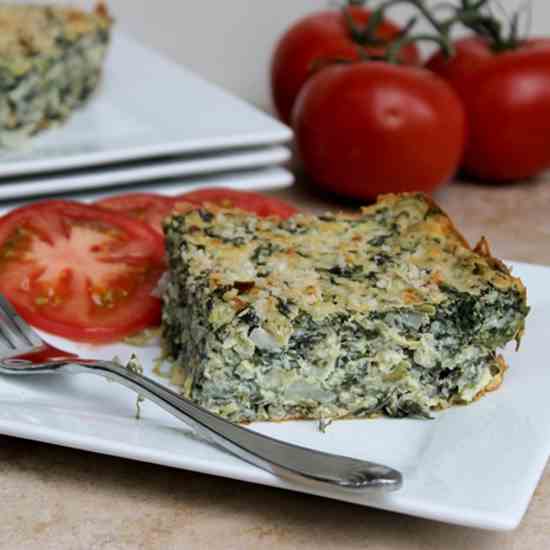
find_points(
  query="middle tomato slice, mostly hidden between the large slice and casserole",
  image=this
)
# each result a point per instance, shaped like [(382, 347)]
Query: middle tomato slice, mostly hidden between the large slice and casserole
[(146, 207)]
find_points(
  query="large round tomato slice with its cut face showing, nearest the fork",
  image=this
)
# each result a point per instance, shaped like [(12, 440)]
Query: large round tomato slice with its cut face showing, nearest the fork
[(79, 271)]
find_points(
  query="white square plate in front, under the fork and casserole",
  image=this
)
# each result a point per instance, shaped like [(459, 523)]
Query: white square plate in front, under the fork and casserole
[(476, 465)]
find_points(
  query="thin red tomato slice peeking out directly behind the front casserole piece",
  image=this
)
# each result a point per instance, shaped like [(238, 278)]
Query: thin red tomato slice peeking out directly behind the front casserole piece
[(256, 203)]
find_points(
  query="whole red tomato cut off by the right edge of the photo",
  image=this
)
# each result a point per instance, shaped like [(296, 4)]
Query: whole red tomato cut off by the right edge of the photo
[(507, 102)]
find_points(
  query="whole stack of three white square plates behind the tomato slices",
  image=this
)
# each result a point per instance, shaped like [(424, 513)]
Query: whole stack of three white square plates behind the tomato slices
[(153, 124)]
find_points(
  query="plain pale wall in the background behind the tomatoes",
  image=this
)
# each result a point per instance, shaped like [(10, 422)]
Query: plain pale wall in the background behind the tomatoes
[(230, 41)]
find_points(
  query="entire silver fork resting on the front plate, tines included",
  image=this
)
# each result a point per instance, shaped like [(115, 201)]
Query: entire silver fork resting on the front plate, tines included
[(23, 352)]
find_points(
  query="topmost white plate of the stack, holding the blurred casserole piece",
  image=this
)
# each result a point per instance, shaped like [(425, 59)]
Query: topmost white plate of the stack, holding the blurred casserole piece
[(137, 113)]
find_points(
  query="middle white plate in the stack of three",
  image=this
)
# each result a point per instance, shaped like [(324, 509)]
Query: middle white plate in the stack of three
[(142, 171)]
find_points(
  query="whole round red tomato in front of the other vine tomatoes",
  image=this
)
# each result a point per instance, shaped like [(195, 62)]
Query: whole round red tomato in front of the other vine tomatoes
[(371, 128)]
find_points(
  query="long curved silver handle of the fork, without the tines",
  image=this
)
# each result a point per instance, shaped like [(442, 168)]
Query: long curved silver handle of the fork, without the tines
[(275, 456)]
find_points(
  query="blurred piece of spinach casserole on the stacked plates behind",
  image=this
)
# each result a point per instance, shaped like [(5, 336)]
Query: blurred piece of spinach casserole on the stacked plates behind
[(50, 62)]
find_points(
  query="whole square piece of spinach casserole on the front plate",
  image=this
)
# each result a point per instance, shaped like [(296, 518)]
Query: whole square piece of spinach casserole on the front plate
[(384, 312)]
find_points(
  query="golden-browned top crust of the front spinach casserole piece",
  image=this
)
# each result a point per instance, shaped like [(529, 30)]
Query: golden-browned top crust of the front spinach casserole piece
[(398, 253)]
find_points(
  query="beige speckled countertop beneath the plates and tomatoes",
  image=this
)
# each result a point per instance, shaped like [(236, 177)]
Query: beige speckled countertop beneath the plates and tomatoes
[(59, 498)]
